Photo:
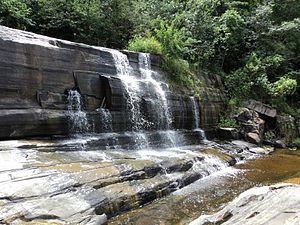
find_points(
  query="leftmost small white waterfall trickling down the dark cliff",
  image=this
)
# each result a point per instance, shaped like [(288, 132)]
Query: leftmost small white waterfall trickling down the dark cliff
[(78, 122)]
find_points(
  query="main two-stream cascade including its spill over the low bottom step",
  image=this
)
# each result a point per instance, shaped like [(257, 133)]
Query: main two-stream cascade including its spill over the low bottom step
[(152, 91)]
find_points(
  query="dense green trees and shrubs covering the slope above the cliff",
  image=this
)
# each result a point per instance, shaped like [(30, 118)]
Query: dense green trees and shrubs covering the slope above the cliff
[(254, 45)]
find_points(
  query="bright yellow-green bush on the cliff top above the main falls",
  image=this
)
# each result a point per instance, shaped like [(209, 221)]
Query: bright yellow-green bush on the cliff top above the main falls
[(143, 44)]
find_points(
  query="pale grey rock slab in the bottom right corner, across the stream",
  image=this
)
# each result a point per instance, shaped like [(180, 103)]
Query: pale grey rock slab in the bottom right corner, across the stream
[(269, 205)]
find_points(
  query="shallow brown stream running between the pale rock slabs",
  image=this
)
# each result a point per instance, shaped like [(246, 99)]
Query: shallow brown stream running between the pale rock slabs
[(211, 193)]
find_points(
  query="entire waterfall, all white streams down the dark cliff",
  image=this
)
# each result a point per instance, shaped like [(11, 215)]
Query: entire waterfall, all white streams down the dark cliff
[(146, 107)]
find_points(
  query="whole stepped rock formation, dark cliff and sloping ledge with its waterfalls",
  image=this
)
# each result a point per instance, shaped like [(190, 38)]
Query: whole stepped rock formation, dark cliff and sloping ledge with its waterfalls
[(105, 134)]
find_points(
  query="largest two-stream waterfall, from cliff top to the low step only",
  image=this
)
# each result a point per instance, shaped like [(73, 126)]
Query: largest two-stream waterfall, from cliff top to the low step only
[(163, 117)]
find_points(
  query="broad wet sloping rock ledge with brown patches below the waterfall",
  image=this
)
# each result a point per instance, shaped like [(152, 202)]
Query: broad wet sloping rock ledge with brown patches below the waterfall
[(53, 182)]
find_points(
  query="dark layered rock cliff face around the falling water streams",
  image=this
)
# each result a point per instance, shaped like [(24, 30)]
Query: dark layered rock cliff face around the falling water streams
[(38, 72)]
